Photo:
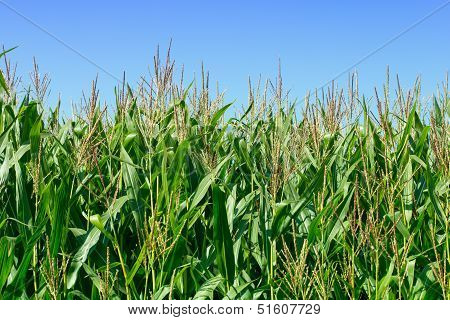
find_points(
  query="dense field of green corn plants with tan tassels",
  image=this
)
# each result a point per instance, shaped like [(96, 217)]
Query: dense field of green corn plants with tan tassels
[(165, 196)]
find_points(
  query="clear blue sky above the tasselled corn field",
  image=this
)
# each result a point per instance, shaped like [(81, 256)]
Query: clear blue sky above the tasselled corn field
[(315, 40)]
